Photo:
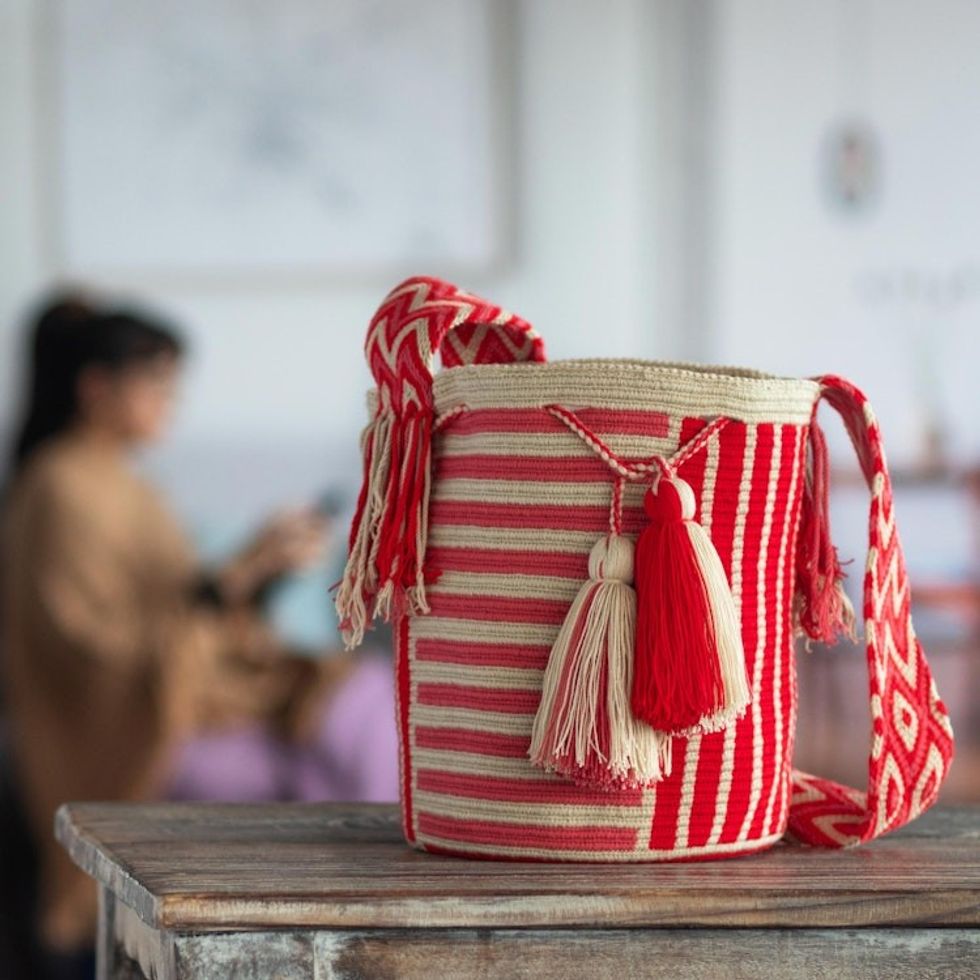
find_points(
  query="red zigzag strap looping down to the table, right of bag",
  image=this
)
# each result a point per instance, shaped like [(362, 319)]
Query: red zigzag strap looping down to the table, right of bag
[(911, 736)]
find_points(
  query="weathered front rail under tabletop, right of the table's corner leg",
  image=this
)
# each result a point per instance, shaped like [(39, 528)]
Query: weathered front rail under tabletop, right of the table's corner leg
[(680, 954)]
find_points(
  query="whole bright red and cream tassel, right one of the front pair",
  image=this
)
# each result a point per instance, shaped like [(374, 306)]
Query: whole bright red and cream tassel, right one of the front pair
[(690, 666)]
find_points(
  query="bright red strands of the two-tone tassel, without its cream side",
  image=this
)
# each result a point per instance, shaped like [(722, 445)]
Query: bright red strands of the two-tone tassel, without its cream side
[(677, 678)]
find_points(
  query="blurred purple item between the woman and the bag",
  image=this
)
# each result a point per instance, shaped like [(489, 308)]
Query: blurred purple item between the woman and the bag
[(353, 755)]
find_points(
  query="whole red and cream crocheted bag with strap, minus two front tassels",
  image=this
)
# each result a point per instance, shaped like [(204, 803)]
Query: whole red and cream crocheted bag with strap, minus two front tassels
[(518, 471)]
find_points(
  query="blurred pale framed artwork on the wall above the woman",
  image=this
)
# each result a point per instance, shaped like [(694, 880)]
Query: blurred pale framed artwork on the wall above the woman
[(239, 138)]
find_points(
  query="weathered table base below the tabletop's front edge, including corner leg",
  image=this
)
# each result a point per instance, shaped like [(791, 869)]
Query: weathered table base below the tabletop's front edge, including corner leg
[(473, 954)]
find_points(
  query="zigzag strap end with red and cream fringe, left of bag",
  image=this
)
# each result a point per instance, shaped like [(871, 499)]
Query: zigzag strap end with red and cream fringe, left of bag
[(384, 573)]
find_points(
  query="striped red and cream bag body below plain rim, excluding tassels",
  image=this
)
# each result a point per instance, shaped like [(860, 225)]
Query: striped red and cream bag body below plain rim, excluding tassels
[(518, 501)]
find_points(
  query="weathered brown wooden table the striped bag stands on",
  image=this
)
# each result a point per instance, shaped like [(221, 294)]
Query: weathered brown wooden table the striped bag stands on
[(331, 891)]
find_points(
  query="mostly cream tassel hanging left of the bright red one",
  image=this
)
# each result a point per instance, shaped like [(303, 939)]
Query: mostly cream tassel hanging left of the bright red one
[(584, 728)]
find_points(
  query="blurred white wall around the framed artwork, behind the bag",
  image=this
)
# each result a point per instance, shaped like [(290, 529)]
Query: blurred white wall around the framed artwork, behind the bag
[(602, 124)]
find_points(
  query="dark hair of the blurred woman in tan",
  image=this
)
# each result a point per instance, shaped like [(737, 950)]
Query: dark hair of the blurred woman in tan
[(68, 335)]
